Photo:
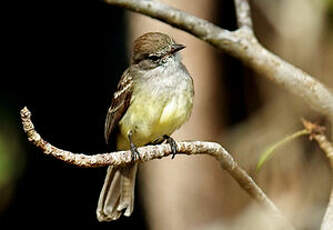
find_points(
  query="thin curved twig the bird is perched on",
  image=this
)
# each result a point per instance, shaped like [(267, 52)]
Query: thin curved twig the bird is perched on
[(121, 158)]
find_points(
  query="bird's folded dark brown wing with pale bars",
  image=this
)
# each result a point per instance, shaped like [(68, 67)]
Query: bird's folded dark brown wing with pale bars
[(120, 103)]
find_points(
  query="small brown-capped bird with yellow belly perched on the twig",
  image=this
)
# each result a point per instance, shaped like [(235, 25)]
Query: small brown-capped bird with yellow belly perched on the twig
[(154, 98)]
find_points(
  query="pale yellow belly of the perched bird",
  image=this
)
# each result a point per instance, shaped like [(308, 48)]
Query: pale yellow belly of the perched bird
[(150, 119)]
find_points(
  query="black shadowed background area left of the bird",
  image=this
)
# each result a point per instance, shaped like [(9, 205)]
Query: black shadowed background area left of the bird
[(64, 59)]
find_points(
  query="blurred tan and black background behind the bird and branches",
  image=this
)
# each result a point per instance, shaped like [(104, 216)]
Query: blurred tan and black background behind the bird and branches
[(63, 61)]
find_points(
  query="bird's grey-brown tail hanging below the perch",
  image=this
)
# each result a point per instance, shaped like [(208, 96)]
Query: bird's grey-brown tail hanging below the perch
[(117, 195)]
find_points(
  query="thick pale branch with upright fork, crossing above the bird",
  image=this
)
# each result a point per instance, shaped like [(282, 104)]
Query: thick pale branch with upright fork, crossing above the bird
[(241, 44)]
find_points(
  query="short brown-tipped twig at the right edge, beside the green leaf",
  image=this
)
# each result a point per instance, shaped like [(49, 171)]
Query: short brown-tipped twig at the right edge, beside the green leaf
[(317, 134)]
